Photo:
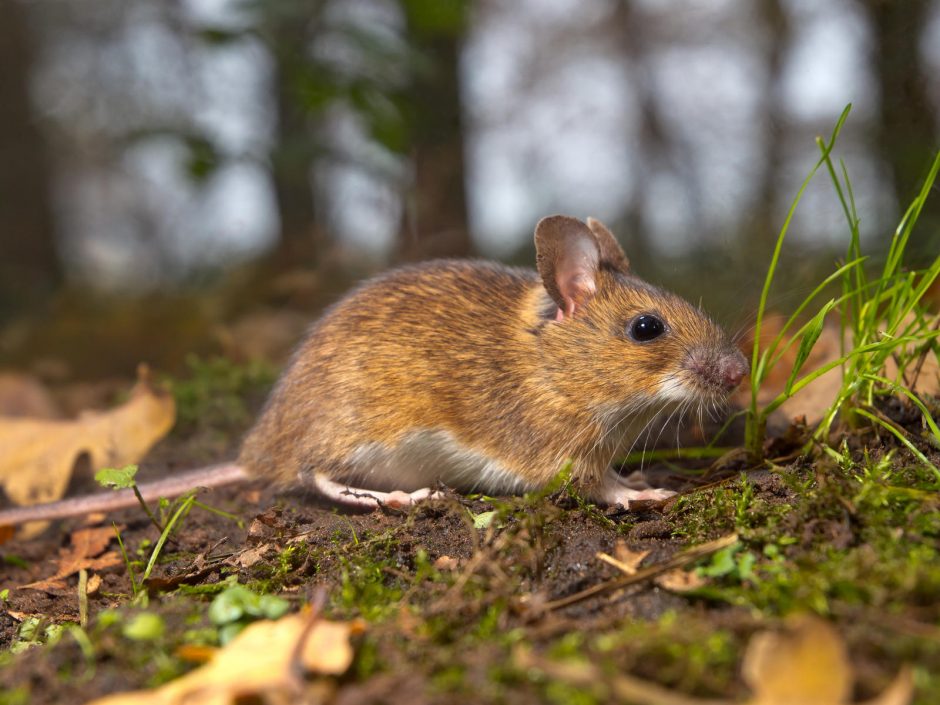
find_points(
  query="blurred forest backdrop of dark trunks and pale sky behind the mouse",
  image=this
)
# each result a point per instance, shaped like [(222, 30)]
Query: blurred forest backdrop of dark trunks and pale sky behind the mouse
[(203, 175)]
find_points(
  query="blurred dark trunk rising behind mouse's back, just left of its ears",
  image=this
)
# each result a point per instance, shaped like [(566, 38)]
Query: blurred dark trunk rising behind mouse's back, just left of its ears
[(435, 213)]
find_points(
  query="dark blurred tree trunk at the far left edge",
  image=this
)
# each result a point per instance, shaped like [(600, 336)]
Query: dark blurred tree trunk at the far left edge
[(29, 265)]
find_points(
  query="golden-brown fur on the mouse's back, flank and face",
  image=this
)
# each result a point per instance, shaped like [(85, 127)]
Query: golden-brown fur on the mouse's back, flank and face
[(472, 348)]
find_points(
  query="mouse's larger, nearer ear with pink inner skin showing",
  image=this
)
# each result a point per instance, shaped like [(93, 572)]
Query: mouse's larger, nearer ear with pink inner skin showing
[(567, 257)]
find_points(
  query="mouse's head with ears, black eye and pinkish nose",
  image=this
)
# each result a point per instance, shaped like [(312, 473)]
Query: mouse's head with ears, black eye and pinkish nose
[(617, 343)]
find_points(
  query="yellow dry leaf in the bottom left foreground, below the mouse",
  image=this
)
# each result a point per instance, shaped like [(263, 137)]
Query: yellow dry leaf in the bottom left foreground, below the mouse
[(257, 665)]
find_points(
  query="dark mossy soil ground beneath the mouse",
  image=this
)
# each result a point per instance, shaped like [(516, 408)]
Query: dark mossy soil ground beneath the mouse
[(449, 599)]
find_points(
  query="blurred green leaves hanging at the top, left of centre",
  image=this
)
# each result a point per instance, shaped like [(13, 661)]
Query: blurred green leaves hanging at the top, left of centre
[(338, 61)]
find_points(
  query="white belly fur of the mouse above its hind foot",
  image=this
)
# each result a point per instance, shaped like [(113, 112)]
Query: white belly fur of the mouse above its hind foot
[(427, 457)]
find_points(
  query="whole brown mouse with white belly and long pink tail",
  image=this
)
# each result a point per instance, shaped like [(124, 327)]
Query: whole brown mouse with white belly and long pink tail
[(478, 377)]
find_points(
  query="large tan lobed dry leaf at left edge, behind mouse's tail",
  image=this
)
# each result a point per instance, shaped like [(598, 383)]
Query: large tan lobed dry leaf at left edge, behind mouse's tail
[(37, 457)]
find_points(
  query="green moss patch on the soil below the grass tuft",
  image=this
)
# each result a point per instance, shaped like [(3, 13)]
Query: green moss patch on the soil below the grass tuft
[(853, 539)]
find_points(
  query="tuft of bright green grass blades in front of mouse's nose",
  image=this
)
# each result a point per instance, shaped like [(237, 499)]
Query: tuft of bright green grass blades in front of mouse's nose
[(881, 316)]
